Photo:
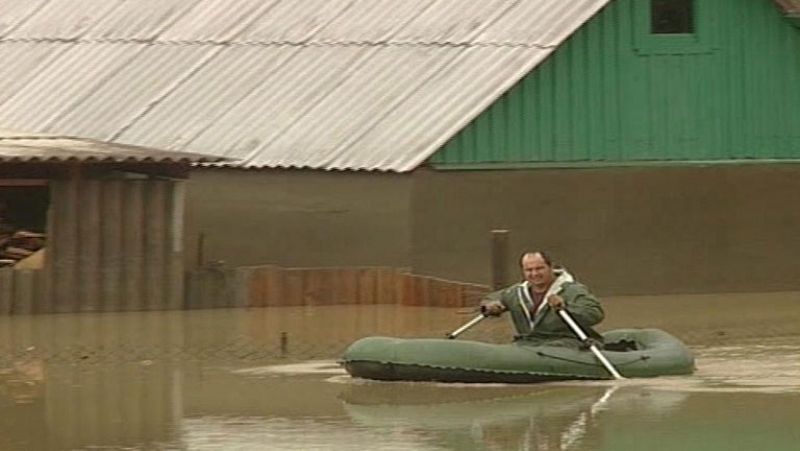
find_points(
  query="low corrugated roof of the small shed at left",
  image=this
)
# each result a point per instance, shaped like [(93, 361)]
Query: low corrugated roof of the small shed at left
[(31, 147)]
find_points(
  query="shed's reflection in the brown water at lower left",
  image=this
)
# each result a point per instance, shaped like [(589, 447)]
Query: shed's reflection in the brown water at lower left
[(89, 380)]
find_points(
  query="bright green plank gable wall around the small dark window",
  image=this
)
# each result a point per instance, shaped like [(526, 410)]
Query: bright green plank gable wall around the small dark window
[(609, 95)]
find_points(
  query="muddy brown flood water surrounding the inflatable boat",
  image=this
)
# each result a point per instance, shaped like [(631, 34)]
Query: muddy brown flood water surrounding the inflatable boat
[(267, 379)]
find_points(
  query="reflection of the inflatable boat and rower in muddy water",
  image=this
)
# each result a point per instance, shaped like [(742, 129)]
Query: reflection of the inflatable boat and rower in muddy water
[(551, 417)]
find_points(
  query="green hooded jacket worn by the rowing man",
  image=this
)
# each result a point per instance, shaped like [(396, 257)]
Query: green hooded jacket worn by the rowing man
[(584, 308)]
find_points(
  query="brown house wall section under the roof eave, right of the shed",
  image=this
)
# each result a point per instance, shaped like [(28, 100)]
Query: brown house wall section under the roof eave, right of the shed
[(298, 218)]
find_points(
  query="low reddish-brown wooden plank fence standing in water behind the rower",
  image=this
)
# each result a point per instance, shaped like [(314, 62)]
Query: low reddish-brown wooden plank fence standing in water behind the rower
[(271, 286)]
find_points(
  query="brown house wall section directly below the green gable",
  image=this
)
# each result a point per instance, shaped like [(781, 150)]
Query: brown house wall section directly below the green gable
[(622, 230)]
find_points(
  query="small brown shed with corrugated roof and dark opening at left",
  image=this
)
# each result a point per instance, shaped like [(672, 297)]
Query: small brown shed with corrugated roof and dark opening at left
[(105, 220)]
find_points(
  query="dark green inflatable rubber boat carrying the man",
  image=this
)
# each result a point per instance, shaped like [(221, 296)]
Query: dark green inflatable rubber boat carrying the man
[(647, 353)]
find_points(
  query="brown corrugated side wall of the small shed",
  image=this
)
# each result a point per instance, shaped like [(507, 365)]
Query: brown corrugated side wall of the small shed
[(114, 245)]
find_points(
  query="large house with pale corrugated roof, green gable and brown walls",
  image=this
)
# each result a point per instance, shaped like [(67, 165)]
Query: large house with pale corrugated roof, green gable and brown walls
[(650, 145)]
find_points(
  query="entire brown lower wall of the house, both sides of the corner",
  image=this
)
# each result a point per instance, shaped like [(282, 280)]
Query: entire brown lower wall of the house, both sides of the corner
[(621, 230)]
